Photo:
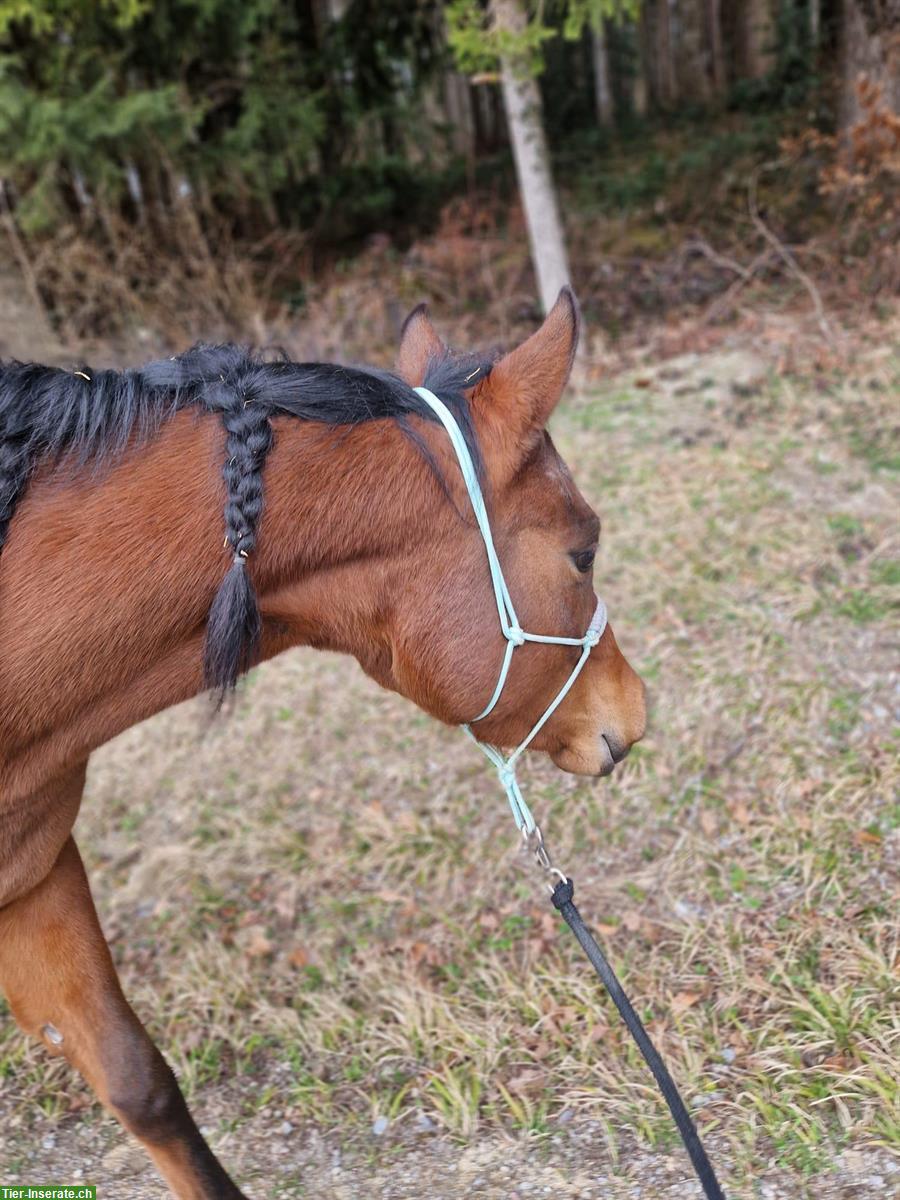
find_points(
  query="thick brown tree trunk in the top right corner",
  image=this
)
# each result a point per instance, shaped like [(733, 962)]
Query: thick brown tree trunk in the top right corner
[(871, 51)]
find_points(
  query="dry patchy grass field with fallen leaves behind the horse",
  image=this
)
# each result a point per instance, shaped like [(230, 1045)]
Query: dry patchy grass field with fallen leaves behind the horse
[(320, 908)]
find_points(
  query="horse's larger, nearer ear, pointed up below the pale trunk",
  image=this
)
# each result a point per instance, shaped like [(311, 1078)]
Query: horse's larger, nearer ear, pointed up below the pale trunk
[(515, 401)]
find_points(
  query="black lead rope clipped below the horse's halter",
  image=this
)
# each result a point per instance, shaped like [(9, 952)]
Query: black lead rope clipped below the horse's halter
[(563, 901)]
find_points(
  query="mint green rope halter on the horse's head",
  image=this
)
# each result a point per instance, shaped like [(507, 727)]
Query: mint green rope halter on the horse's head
[(509, 625)]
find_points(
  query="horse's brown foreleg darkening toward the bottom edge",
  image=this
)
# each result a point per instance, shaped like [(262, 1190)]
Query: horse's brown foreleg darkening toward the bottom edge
[(59, 979)]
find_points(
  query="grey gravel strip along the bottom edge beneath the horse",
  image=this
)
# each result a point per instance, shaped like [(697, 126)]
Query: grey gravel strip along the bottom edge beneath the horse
[(272, 1160)]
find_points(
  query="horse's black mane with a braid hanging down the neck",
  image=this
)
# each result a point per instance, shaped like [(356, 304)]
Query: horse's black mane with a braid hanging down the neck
[(93, 417)]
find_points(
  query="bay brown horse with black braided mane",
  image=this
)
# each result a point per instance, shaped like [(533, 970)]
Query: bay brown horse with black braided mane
[(367, 547)]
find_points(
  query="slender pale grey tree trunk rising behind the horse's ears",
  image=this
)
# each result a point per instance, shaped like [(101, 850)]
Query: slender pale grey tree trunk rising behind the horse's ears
[(523, 101)]
